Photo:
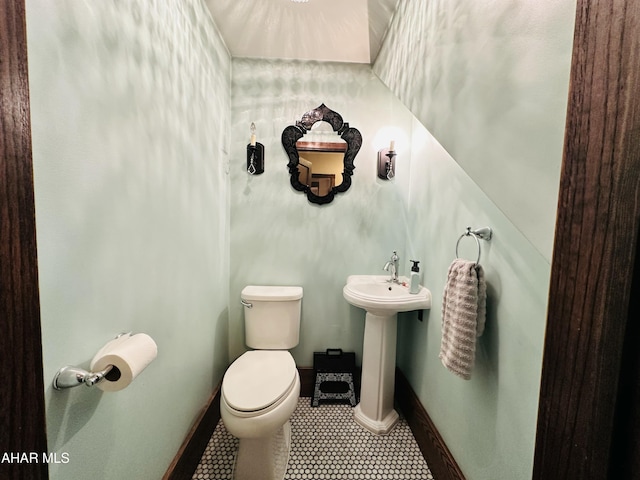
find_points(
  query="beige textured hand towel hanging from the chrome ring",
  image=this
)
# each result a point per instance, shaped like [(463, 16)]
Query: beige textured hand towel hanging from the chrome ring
[(463, 316)]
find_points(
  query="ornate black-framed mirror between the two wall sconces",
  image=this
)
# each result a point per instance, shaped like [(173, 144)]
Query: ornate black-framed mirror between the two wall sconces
[(321, 158)]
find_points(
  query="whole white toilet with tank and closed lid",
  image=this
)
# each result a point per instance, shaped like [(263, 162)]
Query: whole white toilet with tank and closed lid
[(260, 389)]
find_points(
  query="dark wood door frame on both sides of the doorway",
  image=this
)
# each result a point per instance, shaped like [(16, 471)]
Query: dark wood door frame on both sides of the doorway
[(591, 277)]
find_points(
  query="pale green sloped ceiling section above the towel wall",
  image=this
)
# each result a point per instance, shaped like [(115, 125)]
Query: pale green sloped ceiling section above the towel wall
[(490, 81)]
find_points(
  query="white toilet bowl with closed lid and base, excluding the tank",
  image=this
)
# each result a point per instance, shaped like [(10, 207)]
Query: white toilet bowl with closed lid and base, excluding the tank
[(259, 393)]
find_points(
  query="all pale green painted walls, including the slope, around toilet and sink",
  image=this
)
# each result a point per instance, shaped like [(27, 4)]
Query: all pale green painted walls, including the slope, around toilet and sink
[(148, 221)]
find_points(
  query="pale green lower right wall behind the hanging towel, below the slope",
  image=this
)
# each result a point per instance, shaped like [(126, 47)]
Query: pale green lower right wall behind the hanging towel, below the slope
[(489, 421)]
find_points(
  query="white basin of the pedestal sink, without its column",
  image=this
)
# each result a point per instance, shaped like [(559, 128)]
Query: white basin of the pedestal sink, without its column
[(375, 294)]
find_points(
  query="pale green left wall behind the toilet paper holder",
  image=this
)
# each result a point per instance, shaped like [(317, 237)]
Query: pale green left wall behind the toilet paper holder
[(130, 105)]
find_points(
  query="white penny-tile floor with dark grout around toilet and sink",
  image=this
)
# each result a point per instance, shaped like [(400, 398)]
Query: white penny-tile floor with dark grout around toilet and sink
[(328, 444)]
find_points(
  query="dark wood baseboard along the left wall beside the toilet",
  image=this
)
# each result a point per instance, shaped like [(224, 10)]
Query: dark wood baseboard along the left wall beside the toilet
[(188, 457)]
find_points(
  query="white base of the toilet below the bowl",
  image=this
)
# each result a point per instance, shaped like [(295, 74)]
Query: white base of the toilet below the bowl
[(263, 458)]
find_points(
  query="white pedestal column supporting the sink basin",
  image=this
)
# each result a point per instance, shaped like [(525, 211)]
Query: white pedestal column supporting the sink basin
[(375, 411)]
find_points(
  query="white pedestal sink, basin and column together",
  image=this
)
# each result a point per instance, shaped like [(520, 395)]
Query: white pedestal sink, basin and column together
[(382, 301)]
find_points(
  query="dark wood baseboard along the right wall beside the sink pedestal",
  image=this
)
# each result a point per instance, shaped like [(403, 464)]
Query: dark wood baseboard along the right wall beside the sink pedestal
[(440, 460)]
